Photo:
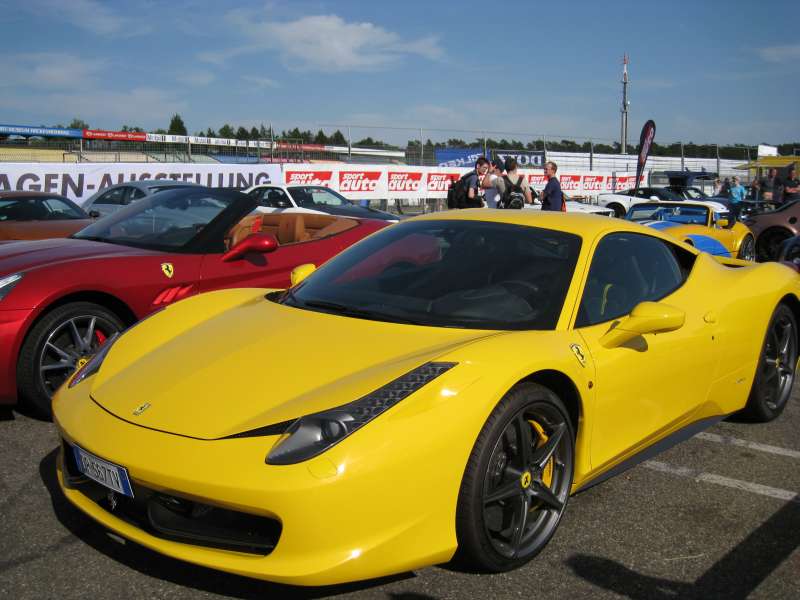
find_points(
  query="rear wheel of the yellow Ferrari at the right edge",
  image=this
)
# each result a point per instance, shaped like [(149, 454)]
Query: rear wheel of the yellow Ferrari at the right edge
[(775, 372)]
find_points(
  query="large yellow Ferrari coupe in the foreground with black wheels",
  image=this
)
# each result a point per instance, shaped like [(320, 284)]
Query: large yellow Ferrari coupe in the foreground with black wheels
[(442, 386)]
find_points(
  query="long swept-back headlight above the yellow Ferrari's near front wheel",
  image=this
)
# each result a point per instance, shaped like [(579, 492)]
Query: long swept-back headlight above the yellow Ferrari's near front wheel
[(313, 434)]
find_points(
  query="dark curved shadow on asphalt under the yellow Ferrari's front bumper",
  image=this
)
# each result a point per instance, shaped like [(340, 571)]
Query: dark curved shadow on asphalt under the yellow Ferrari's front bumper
[(181, 573)]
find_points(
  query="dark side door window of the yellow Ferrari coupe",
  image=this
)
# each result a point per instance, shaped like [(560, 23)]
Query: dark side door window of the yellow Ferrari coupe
[(629, 268)]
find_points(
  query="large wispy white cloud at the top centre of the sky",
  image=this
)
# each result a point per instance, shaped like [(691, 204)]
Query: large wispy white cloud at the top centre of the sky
[(323, 43)]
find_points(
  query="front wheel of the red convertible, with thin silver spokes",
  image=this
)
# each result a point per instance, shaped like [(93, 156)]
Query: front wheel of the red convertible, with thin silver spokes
[(50, 352)]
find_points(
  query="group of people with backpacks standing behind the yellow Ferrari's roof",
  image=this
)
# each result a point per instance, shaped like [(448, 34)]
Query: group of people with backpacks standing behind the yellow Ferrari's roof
[(498, 184)]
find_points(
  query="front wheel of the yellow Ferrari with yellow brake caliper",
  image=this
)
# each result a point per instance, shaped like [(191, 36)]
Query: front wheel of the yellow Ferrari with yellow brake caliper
[(506, 513)]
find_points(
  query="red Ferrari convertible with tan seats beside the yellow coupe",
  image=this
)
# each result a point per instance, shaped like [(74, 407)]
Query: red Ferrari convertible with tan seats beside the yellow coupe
[(61, 299)]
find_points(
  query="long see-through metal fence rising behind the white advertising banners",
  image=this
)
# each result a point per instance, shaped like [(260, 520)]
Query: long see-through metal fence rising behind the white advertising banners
[(400, 145)]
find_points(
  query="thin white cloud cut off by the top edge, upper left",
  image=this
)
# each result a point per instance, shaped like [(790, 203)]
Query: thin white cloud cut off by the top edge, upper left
[(91, 15)]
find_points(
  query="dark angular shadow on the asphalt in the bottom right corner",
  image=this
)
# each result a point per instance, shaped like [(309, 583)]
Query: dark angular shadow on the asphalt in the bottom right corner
[(735, 575)]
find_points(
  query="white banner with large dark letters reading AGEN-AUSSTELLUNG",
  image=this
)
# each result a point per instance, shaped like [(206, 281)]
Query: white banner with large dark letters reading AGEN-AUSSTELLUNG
[(78, 181)]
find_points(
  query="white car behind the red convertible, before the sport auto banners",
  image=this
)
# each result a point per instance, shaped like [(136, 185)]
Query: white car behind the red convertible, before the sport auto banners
[(315, 199)]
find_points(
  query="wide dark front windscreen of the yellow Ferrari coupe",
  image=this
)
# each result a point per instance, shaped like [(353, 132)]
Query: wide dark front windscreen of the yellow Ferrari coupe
[(444, 273)]
